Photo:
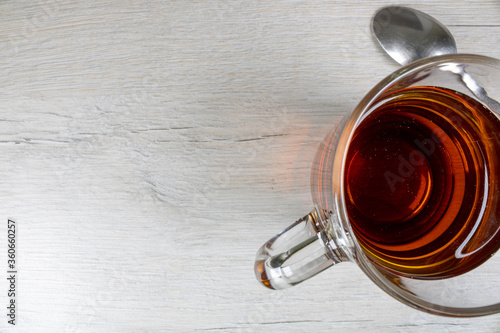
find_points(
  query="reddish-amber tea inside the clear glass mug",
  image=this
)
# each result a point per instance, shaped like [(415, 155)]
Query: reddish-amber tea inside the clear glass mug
[(422, 183)]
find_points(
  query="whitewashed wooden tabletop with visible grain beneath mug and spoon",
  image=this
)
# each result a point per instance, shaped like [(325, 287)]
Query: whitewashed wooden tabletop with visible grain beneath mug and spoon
[(148, 148)]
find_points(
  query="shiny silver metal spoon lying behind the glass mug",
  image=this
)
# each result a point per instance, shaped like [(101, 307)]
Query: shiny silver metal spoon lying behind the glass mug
[(408, 34)]
